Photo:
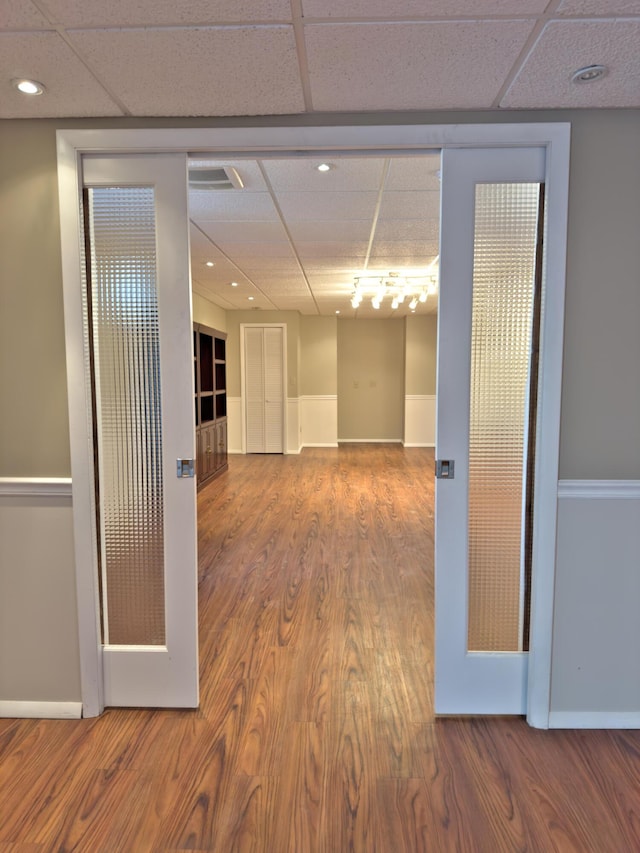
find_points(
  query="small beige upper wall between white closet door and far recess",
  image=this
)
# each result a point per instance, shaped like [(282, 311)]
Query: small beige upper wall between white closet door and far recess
[(318, 356)]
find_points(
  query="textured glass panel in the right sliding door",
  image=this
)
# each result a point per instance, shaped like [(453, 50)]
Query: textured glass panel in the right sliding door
[(506, 222)]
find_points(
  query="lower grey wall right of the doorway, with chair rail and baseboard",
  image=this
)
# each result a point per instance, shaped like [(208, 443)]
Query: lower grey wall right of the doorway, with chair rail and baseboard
[(595, 679)]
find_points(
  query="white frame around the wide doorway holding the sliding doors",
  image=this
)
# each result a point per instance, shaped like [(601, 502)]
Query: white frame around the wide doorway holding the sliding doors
[(283, 141)]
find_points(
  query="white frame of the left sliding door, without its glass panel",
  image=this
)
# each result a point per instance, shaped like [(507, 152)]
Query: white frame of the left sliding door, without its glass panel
[(163, 675)]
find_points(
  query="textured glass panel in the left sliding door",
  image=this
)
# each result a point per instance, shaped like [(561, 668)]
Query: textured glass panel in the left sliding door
[(128, 407)]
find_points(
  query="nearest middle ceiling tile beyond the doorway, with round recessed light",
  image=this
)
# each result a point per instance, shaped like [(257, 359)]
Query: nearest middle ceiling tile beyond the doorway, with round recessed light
[(346, 174)]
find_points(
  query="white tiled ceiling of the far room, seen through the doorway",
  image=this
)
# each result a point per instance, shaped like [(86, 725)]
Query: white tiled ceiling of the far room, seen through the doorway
[(294, 238)]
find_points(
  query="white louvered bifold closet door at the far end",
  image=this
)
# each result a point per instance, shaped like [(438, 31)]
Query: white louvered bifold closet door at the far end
[(263, 388)]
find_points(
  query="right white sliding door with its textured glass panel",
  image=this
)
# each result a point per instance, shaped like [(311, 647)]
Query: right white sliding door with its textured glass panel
[(489, 262)]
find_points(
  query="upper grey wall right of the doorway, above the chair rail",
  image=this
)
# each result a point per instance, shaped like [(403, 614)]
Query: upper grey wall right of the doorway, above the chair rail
[(600, 431)]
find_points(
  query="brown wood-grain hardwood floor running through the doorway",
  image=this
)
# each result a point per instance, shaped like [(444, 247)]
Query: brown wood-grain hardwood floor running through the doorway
[(316, 729)]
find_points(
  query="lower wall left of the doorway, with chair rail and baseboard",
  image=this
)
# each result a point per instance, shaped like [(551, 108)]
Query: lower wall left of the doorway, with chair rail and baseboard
[(39, 653)]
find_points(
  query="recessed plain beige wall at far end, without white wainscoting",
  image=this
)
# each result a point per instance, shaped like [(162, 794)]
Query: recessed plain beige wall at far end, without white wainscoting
[(370, 380)]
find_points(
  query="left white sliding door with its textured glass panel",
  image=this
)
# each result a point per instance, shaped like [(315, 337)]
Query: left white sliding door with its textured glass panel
[(140, 335)]
